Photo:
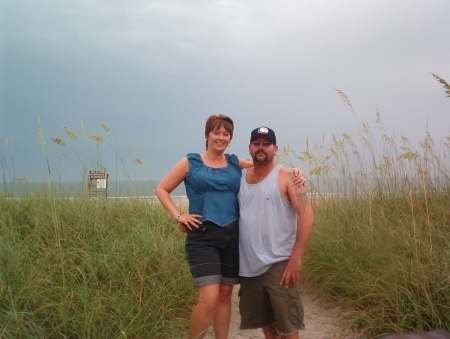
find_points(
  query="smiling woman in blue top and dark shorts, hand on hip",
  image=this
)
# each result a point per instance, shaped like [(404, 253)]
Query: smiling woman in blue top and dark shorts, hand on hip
[(212, 182)]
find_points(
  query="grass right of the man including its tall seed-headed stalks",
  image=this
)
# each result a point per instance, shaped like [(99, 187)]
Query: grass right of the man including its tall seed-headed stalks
[(380, 245)]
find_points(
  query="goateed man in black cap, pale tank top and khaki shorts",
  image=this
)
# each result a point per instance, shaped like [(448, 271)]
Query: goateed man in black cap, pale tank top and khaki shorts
[(275, 224)]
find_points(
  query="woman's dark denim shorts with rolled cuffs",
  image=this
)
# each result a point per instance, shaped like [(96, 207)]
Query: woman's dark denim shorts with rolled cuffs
[(212, 252)]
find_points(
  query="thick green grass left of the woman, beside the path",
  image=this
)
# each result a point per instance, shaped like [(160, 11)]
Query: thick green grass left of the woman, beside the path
[(90, 269)]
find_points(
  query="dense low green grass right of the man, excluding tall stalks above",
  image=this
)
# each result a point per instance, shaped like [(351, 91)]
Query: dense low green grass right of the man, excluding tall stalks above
[(386, 261)]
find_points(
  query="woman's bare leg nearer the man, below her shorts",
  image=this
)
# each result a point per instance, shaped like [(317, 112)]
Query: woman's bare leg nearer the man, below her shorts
[(222, 314)]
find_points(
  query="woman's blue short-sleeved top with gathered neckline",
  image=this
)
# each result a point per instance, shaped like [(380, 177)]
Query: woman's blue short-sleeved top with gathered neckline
[(212, 192)]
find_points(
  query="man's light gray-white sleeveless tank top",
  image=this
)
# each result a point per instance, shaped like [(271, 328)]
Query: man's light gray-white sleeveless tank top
[(267, 225)]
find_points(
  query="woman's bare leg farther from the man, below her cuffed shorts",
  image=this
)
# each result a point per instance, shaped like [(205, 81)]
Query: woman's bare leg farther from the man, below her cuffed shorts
[(203, 312)]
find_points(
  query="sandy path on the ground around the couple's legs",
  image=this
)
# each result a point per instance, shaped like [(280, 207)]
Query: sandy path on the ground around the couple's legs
[(321, 320)]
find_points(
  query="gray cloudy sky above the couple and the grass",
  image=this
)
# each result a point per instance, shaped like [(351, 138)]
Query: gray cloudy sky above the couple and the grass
[(153, 71)]
